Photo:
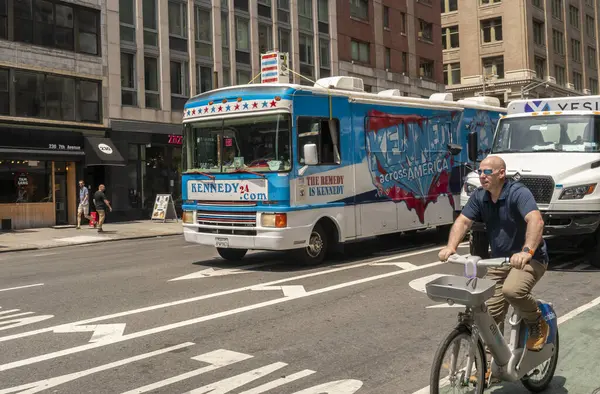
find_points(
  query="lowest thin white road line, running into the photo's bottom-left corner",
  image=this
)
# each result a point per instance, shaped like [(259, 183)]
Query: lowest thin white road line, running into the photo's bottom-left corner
[(42, 385)]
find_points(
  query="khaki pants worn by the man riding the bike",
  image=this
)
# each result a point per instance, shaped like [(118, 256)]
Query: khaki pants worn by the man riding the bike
[(514, 286)]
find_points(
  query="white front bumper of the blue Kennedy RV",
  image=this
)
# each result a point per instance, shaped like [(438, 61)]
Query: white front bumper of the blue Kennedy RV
[(264, 239)]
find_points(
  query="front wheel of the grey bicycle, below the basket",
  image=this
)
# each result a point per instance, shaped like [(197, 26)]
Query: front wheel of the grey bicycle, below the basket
[(457, 368)]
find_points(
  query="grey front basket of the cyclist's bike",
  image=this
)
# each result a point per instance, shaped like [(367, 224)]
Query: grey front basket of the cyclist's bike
[(461, 290)]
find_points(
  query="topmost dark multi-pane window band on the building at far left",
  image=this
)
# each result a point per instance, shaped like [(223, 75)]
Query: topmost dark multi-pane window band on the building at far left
[(52, 24)]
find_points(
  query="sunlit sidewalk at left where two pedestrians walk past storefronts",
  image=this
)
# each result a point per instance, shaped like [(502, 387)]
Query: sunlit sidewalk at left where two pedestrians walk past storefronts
[(43, 238)]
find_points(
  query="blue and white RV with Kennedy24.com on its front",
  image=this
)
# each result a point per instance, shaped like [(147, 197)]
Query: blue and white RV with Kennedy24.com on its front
[(308, 168)]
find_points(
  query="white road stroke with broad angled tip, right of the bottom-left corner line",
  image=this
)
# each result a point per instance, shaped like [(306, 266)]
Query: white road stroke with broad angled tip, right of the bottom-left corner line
[(217, 359)]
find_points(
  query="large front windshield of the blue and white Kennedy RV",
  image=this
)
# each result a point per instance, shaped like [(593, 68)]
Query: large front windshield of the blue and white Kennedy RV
[(256, 143)]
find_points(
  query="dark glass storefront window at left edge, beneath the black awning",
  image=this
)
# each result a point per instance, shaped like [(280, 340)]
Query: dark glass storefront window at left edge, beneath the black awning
[(25, 181)]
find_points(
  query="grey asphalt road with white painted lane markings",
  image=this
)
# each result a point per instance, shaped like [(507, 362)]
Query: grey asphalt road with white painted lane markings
[(163, 316)]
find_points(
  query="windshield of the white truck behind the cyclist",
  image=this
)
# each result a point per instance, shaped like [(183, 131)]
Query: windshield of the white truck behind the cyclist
[(555, 133)]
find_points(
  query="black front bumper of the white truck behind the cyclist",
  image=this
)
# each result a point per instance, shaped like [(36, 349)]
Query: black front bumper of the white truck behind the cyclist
[(563, 223)]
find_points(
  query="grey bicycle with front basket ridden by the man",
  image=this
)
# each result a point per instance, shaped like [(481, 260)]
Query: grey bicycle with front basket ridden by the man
[(510, 361)]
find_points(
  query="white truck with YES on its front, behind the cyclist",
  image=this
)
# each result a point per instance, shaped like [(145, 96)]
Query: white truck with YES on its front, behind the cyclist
[(552, 146)]
